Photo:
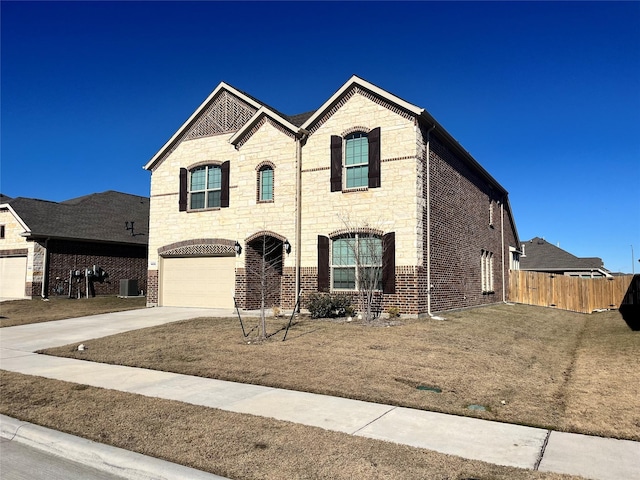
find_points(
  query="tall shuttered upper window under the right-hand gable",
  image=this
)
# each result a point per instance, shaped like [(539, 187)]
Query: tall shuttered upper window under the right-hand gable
[(355, 160)]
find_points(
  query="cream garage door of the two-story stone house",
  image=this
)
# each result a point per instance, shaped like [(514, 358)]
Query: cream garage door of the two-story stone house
[(198, 282)]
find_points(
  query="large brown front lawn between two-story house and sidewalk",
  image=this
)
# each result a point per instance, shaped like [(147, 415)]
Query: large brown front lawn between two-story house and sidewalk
[(551, 368)]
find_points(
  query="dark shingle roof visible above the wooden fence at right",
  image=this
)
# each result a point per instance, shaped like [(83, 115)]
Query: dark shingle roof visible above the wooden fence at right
[(542, 255)]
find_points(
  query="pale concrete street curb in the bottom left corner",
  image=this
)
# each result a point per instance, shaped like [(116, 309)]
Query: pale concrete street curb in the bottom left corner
[(116, 461)]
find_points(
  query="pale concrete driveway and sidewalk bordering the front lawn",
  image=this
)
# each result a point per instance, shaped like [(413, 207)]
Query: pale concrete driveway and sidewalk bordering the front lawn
[(494, 442)]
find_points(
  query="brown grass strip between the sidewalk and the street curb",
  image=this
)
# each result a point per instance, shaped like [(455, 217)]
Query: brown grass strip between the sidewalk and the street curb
[(242, 447)]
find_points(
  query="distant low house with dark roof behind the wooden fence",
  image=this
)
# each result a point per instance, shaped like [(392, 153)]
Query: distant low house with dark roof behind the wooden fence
[(538, 255)]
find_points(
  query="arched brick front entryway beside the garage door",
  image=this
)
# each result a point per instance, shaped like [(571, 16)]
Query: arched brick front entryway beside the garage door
[(264, 266)]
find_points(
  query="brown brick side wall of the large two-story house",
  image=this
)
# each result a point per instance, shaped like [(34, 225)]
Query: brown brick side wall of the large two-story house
[(460, 230)]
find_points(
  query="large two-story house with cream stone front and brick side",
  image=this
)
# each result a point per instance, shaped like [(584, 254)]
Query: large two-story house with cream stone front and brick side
[(365, 167)]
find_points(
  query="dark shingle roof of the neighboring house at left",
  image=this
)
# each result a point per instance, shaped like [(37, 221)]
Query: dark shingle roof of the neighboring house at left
[(96, 217)]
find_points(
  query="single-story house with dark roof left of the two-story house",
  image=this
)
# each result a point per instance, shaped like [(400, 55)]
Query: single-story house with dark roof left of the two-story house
[(42, 241)]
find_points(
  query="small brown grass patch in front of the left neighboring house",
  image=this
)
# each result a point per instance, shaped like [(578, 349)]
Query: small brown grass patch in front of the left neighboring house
[(22, 312)]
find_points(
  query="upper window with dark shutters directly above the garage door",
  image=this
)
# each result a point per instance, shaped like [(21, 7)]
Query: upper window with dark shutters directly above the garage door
[(204, 186)]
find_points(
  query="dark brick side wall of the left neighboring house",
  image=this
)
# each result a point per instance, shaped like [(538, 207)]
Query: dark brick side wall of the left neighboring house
[(119, 261)]
